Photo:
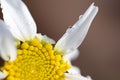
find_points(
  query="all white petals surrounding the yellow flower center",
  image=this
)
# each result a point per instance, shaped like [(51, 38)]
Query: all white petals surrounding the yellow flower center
[(18, 24)]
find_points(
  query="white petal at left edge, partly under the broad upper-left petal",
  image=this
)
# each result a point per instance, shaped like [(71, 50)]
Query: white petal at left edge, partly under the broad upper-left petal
[(7, 46)]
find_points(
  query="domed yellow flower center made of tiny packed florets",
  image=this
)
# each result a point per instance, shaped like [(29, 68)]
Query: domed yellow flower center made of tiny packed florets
[(36, 60)]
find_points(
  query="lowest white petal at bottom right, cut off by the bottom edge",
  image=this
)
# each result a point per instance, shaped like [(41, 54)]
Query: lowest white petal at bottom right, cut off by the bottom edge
[(76, 77)]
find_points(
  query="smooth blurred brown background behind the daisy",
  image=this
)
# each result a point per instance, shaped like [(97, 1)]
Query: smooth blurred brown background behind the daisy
[(100, 52)]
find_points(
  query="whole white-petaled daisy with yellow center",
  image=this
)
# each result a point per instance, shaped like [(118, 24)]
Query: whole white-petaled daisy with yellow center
[(31, 56)]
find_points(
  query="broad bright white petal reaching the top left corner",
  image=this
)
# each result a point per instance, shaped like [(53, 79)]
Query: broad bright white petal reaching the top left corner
[(18, 18)]
